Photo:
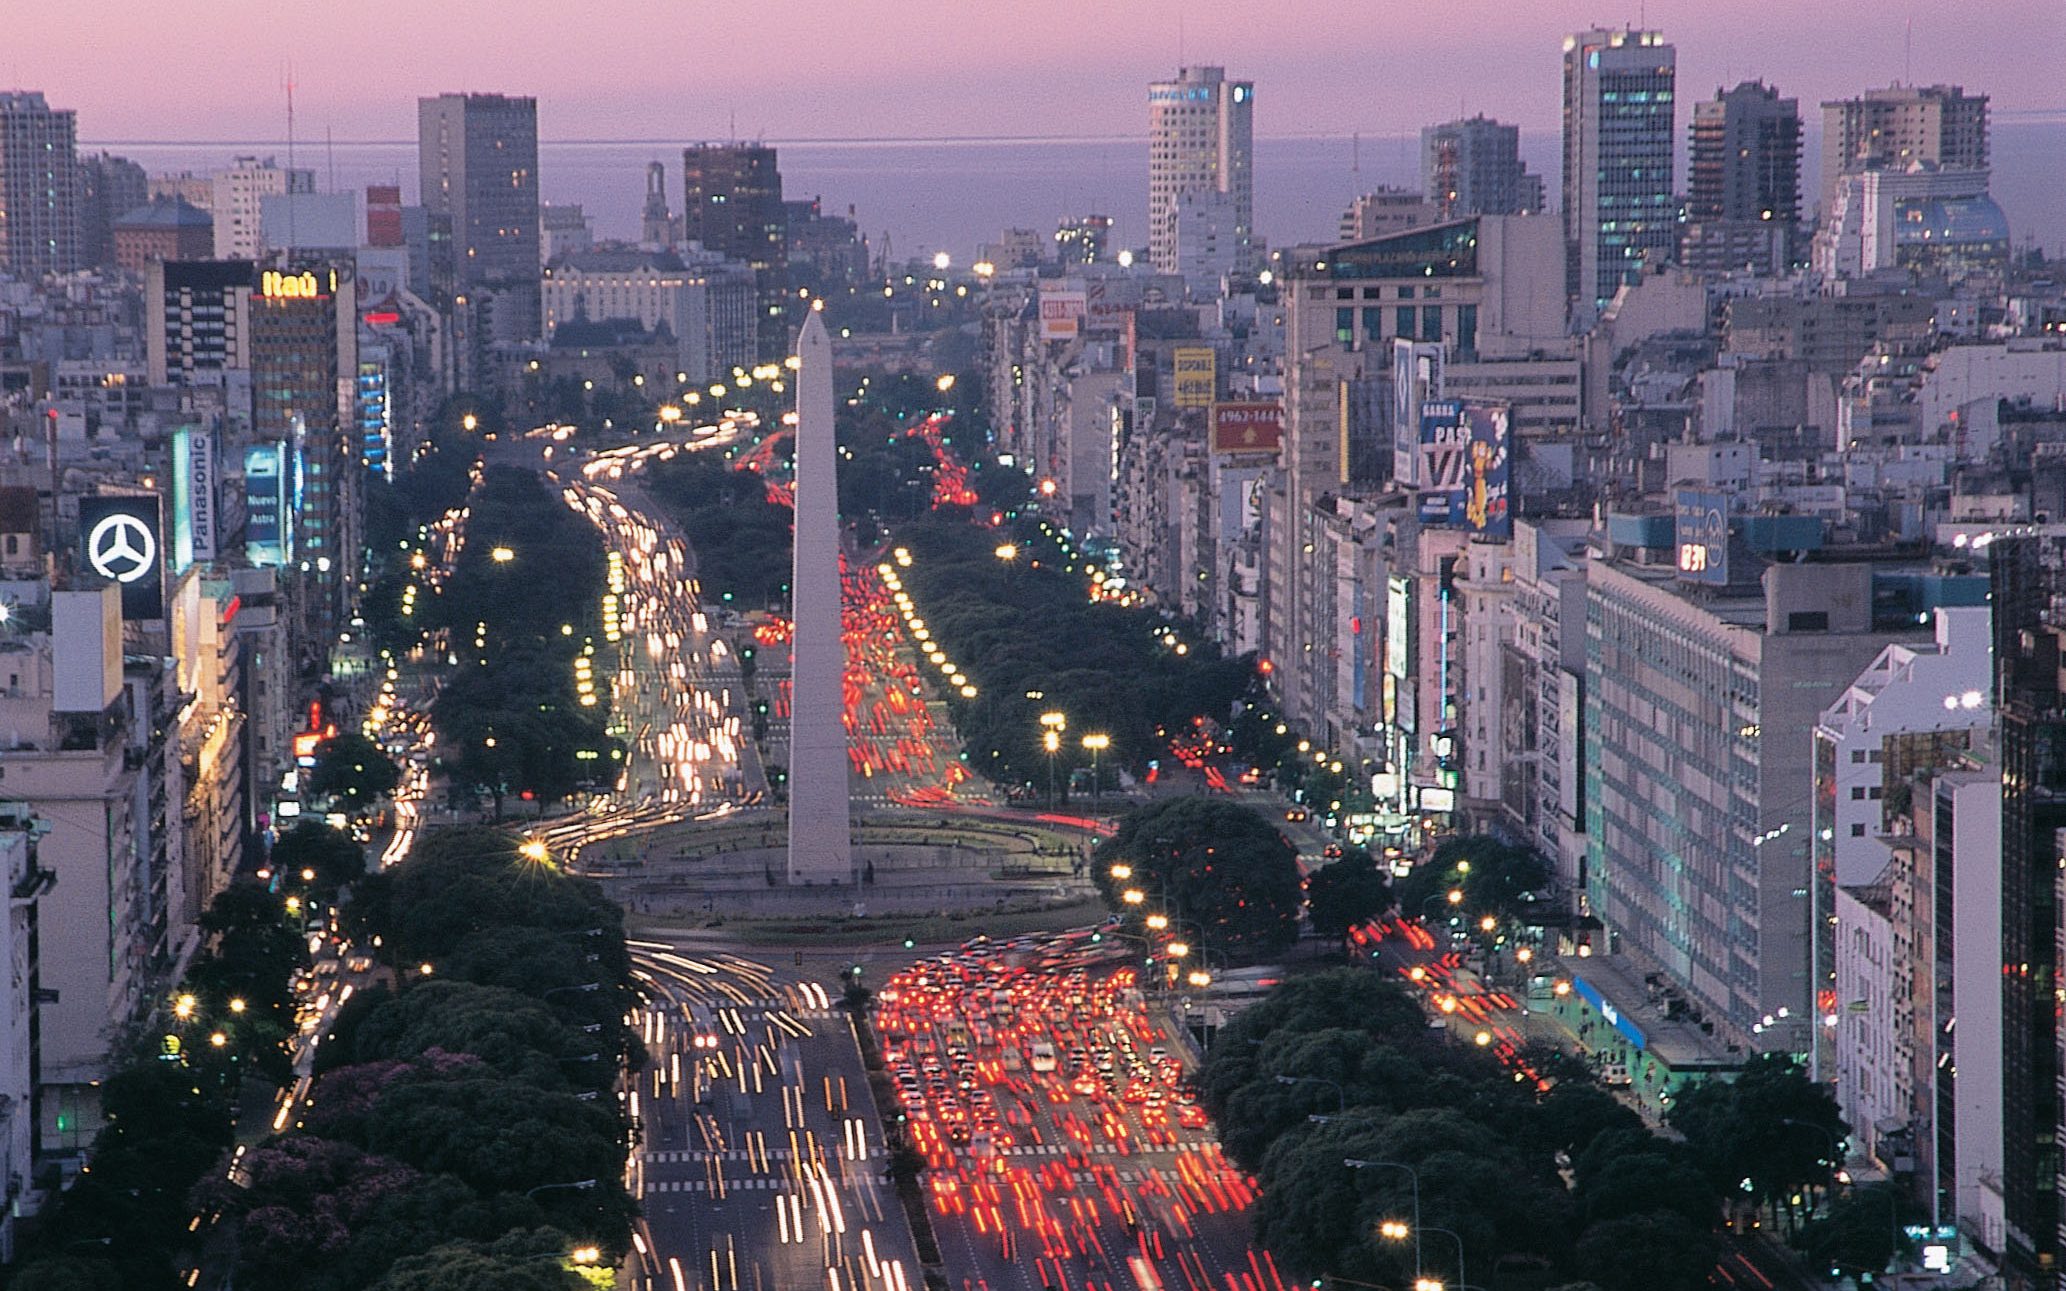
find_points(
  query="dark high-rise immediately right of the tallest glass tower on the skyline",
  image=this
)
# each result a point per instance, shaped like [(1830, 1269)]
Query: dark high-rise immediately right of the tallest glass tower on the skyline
[(1747, 172)]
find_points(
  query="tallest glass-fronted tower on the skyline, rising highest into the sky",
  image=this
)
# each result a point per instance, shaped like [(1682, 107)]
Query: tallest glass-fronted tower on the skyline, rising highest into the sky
[(1619, 203)]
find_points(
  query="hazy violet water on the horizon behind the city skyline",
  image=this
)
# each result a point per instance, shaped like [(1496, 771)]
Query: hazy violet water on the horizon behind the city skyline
[(960, 193)]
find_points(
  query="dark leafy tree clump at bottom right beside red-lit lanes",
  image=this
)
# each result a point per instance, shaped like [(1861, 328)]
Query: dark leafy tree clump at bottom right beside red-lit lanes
[(1363, 1123)]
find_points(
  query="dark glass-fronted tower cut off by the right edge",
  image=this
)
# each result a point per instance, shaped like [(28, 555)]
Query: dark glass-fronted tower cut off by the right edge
[(2028, 586)]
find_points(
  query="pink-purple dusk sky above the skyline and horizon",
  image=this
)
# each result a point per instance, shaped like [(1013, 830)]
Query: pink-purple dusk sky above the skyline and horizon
[(815, 69)]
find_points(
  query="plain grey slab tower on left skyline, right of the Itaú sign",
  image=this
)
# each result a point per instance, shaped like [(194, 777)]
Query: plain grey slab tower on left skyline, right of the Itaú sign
[(478, 164)]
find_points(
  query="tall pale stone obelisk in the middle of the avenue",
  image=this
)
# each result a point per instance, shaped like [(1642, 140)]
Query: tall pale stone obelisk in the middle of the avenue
[(821, 844)]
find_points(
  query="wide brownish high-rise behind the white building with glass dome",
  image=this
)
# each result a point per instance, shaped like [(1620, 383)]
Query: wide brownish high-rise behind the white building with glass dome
[(1898, 127)]
